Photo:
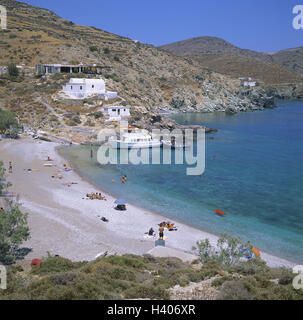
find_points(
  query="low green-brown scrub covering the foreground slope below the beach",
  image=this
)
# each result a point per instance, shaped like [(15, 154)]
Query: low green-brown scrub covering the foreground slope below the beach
[(146, 277)]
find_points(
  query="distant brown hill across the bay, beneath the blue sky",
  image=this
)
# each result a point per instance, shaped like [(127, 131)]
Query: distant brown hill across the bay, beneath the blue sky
[(285, 66)]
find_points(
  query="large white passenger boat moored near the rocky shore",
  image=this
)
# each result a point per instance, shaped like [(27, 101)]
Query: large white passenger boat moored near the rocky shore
[(134, 140)]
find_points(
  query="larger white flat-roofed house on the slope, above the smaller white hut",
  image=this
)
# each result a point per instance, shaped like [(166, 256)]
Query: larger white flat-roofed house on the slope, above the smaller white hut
[(82, 88)]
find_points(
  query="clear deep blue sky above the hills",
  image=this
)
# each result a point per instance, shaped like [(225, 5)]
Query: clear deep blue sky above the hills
[(261, 25)]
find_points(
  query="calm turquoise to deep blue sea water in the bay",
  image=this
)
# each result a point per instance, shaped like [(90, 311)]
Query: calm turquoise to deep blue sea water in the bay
[(256, 177)]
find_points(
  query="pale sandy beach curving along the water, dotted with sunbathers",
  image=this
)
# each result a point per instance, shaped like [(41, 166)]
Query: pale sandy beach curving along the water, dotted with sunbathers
[(63, 222)]
